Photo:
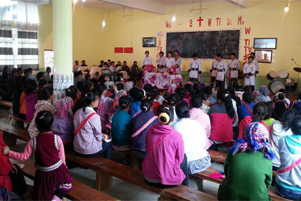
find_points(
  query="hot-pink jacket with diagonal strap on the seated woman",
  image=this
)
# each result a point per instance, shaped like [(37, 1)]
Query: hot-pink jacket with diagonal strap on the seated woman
[(163, 161)]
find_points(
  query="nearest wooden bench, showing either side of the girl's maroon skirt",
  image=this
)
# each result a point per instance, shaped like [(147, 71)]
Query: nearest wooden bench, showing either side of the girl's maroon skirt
[(79, 190)]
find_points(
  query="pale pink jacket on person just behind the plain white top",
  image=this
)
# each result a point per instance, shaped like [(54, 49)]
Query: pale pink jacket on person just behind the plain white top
[(203, 118)]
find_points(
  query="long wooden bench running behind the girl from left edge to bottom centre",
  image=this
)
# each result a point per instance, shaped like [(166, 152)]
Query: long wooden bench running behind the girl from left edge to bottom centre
[(105, 169)]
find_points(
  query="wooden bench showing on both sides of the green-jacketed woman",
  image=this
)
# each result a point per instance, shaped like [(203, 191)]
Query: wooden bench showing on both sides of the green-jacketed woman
[(205, 175)]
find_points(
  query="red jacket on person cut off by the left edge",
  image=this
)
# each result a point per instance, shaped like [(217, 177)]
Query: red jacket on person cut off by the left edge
[(5, 167)]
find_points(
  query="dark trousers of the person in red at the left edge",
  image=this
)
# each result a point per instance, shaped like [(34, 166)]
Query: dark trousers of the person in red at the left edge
[(18, 181)]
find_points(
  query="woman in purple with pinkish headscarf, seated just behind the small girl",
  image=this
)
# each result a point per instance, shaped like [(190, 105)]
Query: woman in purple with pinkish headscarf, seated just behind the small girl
[(63, 120)]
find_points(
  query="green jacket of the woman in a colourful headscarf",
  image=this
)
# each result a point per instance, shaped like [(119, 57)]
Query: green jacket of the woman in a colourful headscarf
[(248, 177)]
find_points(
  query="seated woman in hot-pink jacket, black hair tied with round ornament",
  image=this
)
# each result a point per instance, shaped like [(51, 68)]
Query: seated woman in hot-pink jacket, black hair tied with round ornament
[(165, 163)]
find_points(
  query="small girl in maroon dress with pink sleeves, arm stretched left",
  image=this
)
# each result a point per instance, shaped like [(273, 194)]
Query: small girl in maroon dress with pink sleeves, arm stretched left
[(52, 179)]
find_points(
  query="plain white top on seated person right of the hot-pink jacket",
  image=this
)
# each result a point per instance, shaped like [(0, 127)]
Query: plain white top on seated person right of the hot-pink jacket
[(194, 138)]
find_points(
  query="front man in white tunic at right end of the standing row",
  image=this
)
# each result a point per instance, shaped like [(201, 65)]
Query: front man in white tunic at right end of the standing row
[(249, 73)]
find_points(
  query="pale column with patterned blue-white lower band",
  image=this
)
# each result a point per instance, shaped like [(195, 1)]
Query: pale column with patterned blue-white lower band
[(62, 46)]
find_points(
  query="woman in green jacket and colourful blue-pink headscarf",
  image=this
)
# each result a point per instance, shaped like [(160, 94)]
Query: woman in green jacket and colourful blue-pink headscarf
[(248, 166)]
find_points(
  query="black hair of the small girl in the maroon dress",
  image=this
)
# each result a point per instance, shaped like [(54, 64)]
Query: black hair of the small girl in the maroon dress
[(44, 121)]
